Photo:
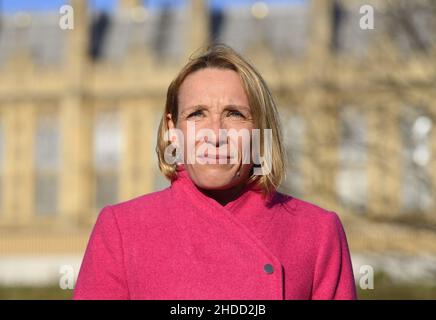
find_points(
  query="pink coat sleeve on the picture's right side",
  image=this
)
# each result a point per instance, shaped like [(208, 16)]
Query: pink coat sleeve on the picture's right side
[(333, 278)]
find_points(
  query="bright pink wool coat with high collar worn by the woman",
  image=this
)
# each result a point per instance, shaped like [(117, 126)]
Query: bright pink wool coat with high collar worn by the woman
[(178, 243)]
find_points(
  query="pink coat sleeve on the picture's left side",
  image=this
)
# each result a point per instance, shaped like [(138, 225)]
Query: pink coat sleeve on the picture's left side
[(102, 274)]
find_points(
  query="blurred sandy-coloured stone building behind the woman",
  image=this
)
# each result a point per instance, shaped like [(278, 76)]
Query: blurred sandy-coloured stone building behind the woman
[(79, 111)]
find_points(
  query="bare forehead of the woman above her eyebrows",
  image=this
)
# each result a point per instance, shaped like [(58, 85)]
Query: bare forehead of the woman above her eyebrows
[(212, 86)]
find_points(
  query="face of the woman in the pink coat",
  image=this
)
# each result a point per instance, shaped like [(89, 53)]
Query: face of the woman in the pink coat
[(214, 99)]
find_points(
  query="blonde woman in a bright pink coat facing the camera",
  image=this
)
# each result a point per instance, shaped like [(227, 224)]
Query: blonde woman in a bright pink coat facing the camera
[(221, 230)]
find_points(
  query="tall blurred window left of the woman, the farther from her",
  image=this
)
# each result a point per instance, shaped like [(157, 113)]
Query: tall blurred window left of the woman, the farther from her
[(46, 161)]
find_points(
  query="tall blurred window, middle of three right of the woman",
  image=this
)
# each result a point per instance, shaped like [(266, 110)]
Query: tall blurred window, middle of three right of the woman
[(352, 181)]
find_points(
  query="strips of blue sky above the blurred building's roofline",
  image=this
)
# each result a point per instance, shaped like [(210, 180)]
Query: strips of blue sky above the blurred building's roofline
[(11, 6)]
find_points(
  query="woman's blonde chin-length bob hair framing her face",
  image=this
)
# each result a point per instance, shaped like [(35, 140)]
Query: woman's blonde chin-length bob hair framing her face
[(263, 109)]
